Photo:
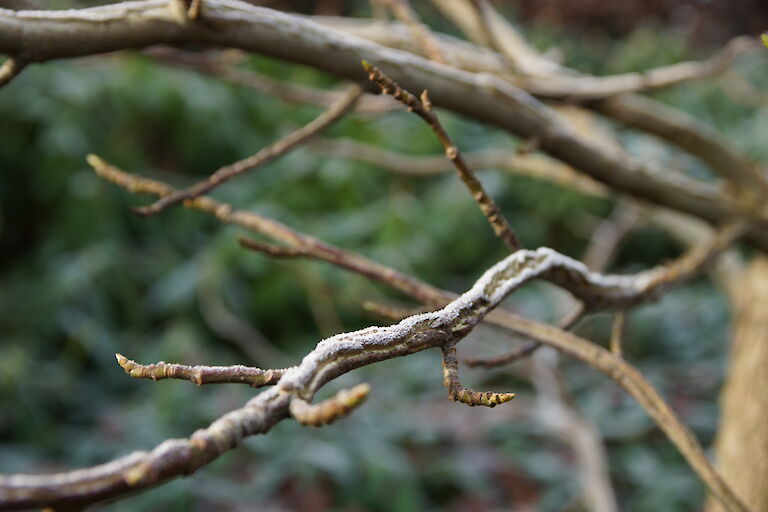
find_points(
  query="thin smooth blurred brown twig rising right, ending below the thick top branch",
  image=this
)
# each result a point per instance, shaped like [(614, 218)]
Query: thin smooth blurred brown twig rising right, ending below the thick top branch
[(279, 148)]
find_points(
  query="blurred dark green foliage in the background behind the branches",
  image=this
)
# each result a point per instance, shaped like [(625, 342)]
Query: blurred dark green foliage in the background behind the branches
[(81, 278)]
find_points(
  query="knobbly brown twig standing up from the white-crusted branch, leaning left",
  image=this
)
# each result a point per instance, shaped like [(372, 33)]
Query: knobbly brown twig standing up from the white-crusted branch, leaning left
[(423, 109)]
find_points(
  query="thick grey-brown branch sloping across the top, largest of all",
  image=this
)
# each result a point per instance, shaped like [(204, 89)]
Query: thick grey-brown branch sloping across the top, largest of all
[(480, 96)]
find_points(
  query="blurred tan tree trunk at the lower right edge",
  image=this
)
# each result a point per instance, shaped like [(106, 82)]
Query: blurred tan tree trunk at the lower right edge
[(742, 442)]
